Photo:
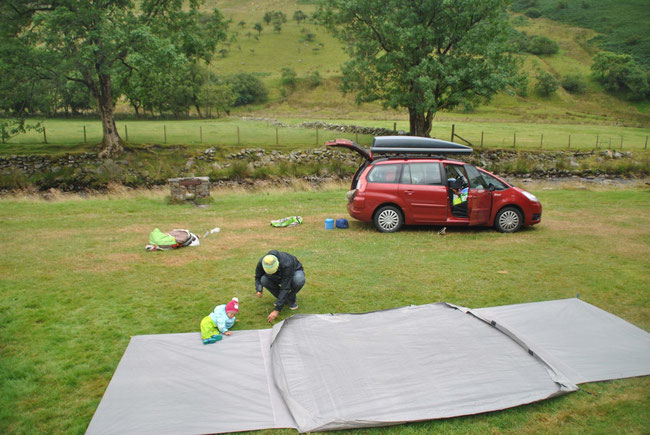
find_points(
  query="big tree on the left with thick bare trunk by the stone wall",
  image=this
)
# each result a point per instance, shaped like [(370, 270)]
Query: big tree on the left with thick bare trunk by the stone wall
[(93, 43)]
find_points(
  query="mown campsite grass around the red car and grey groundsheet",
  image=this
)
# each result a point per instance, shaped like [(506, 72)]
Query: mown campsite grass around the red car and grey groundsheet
[(76, 284)]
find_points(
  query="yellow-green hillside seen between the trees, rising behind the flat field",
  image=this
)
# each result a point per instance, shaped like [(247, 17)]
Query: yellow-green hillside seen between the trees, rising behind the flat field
[(271, 51)]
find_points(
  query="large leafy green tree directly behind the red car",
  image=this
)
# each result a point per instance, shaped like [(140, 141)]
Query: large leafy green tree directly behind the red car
[(425, 56)]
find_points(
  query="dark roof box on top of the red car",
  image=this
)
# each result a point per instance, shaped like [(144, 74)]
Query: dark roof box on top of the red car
[(416, 145)]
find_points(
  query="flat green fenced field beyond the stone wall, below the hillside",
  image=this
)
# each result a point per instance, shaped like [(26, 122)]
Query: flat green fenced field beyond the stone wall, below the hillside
[(68, 135)]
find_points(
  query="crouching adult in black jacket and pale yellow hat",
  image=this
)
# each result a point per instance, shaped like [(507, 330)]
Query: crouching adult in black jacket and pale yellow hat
[(282, 275)]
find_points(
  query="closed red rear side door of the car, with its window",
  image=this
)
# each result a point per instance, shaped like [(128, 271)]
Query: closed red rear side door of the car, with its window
[(423, 192)]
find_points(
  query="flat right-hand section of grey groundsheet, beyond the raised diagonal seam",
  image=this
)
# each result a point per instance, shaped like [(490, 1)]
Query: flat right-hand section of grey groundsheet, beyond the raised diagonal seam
[(584, 342)]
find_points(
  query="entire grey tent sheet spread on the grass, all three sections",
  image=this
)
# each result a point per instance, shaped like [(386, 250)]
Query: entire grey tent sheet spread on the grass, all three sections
[(338, 371)]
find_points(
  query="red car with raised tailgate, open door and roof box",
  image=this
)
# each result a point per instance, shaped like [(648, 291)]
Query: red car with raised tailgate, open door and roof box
[(406, 180)]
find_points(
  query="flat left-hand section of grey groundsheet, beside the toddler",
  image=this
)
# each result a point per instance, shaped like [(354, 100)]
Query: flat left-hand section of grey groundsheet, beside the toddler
[(173, 384)]
